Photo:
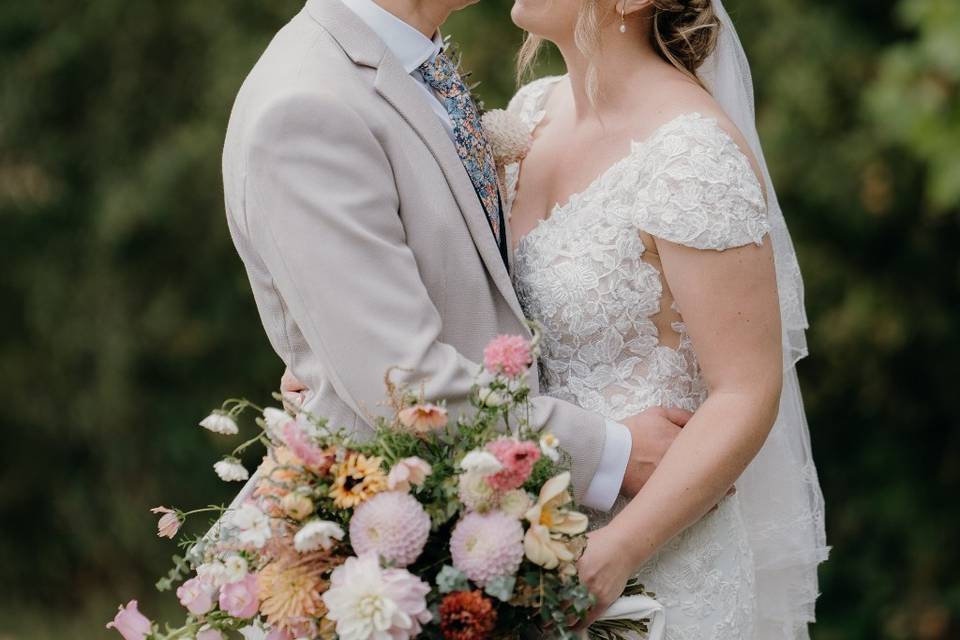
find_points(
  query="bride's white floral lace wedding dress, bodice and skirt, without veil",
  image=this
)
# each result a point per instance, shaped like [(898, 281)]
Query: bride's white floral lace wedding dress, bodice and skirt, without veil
[(614, 340)]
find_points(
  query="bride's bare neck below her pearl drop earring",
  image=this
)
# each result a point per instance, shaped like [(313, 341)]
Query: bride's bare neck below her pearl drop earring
[(620, 59)]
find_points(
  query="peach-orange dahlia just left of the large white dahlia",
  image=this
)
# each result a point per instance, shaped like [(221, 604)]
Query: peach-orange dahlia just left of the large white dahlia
[(291, 587)]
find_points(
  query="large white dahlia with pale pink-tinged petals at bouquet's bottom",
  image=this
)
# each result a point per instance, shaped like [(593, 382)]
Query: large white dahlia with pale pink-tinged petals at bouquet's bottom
[(367, 601)]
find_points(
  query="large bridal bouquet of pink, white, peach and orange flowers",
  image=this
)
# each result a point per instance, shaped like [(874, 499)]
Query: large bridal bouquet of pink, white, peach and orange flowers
[(433, 528)]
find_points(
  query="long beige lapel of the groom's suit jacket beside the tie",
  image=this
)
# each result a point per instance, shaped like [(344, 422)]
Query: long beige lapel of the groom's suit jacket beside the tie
[(400, 91)]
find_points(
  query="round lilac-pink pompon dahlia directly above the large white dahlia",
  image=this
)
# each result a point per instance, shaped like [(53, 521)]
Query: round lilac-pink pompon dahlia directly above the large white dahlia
[(392, 524)]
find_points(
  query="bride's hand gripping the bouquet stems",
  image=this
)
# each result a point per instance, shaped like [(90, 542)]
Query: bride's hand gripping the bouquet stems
[(603, 570)]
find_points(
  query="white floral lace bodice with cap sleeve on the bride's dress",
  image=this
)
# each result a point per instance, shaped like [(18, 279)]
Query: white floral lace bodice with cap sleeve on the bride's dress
[(614, 340)]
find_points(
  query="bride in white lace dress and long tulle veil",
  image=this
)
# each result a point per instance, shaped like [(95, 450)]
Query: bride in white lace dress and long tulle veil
[(650, 245)]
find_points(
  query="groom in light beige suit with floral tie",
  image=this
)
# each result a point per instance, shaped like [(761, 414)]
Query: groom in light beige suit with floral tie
[(362, 197)]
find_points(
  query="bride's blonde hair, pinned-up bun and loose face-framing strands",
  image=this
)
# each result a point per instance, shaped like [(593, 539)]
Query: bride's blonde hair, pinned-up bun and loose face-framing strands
[(683, 32)]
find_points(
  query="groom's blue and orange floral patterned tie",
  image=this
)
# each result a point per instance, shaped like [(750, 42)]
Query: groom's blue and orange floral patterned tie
[(472, 145)]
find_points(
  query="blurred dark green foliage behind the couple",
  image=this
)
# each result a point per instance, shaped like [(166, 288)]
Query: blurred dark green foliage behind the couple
[(127, 315)]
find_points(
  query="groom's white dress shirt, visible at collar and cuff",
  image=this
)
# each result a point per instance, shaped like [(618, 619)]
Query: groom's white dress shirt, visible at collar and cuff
[(412, 49)]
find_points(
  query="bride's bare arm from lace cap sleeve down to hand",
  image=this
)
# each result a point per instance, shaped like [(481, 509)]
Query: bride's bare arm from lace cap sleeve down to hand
[(729, 303)]
